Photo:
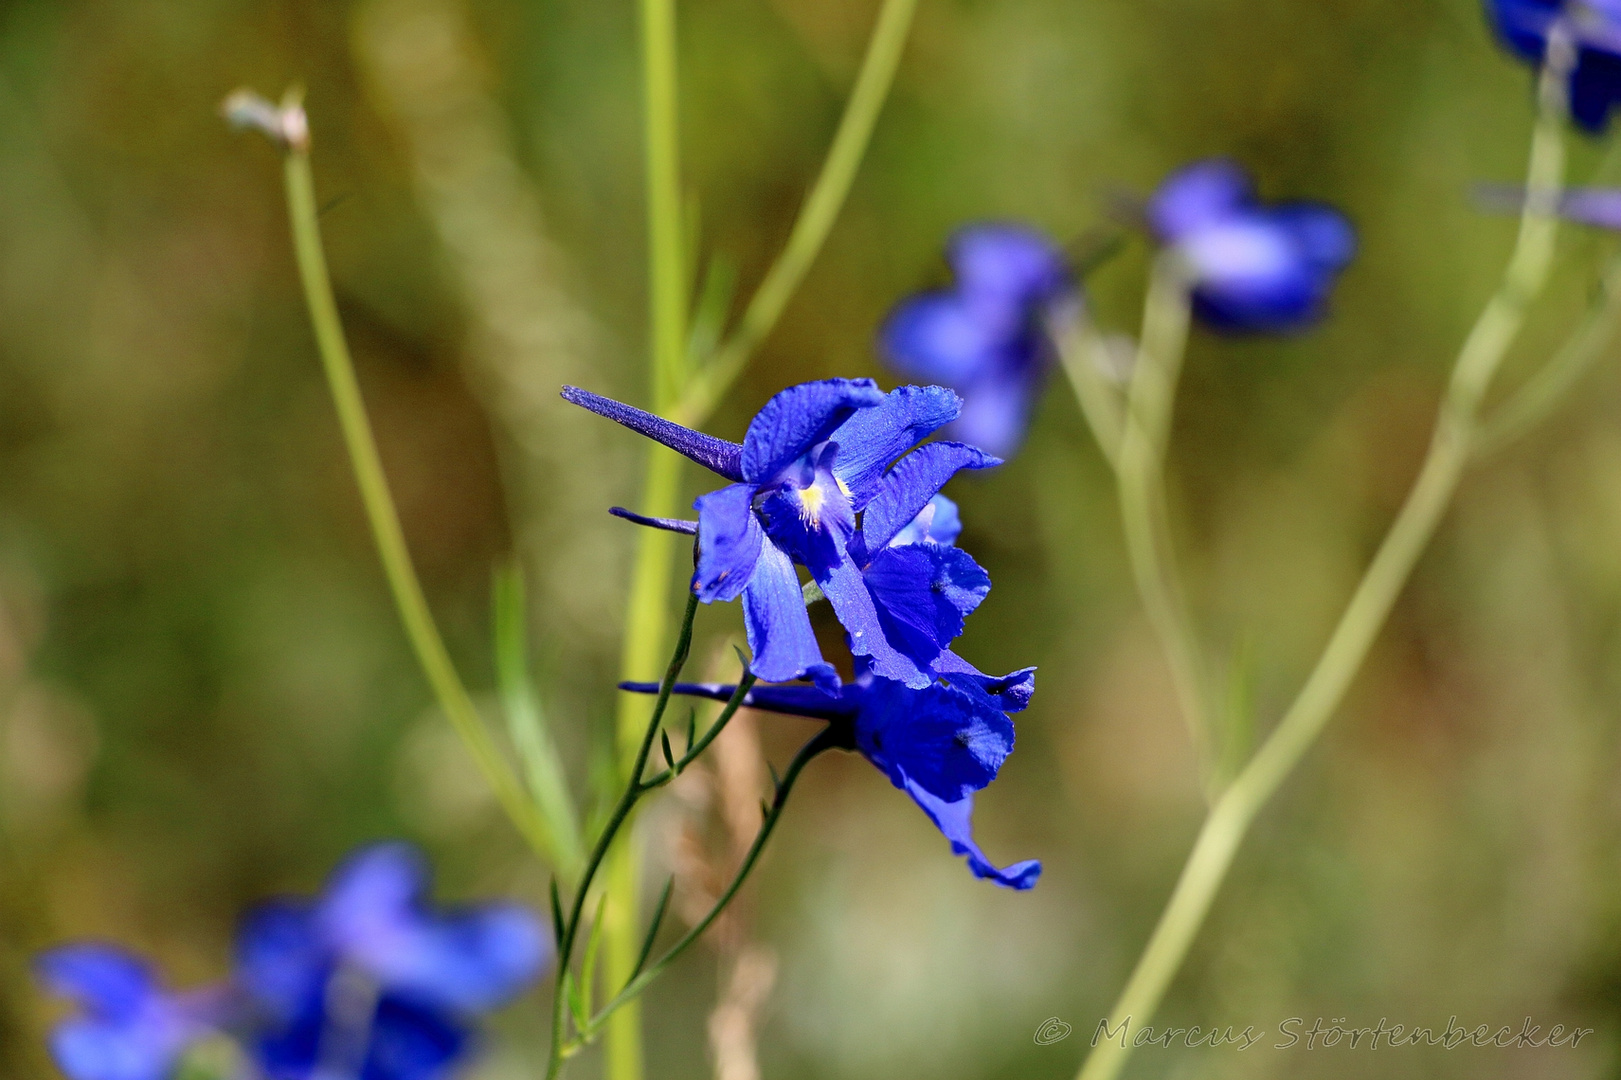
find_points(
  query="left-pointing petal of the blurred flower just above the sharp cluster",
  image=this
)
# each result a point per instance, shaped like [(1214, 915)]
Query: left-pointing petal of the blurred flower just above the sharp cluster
[(941, 338)]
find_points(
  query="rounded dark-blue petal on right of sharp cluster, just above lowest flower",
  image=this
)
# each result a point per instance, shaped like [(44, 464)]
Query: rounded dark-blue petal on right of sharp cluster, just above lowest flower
[(923, 593)]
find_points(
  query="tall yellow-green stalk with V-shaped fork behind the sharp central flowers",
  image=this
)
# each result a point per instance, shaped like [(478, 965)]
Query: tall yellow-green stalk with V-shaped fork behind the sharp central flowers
[(693, 400)]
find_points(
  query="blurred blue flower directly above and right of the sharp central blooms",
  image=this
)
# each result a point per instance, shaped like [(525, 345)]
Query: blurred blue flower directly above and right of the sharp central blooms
[(985, 335)]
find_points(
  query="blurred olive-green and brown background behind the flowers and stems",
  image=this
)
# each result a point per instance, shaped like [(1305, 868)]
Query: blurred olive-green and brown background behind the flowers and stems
[(205, 695)]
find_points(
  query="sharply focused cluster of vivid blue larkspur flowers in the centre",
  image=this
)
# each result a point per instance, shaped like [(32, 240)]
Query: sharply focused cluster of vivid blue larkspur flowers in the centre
[(831, 478)]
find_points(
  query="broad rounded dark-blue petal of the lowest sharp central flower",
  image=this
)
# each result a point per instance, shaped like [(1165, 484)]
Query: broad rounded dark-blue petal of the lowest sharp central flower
[(944, 740)]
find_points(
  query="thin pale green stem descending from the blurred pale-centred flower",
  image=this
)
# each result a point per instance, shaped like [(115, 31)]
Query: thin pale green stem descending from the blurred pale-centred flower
[(1142, 473)]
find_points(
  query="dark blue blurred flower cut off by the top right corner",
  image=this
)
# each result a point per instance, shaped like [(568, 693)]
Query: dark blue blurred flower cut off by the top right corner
[(1594, 28)]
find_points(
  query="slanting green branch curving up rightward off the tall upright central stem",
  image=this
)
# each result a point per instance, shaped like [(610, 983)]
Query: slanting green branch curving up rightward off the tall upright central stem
[(816, 218)]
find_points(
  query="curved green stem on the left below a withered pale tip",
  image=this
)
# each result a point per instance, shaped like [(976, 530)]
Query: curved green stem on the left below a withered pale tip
[(380, 508)]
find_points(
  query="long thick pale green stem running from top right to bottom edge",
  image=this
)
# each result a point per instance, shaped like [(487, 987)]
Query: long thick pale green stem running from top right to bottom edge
[(1371, 606)]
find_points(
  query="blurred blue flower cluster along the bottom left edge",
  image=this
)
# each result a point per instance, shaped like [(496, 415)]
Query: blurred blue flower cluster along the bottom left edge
[(366, 984)]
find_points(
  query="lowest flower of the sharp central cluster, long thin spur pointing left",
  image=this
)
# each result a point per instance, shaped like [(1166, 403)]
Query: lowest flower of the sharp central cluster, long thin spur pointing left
[(939, 744)]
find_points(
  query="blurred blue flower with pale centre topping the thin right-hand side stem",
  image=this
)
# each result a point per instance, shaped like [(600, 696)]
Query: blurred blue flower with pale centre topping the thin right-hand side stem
[(1254, 268)]
